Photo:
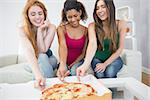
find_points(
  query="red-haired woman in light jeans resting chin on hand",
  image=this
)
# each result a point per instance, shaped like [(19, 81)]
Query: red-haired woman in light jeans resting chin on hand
[(37, 35)]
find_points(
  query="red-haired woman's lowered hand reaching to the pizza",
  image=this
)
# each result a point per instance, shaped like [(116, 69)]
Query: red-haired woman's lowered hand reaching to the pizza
[(39, 82)]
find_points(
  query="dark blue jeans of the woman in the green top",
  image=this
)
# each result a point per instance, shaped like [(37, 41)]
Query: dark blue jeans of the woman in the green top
[(110, 71)]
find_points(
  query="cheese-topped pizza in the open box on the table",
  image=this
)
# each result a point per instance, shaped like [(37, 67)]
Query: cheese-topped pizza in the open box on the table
[(67, 91)]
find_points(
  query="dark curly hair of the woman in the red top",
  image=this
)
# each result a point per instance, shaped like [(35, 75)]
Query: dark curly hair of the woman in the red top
[(73, 4)]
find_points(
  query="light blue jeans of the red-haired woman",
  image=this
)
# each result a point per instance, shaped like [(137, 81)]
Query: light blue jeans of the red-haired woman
[(47, 65)]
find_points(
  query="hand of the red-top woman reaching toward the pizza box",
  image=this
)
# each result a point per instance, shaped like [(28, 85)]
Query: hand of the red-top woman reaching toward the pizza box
[(62, 73)]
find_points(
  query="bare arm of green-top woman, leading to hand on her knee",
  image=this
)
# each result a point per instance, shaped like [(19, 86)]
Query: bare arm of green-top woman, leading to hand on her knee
[(122, 30)]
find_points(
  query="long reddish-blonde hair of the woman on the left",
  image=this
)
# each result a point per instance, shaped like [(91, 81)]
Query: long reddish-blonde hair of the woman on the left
[(28, 26)]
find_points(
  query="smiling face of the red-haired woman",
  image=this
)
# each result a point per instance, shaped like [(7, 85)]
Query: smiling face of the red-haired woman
[(36, 16)]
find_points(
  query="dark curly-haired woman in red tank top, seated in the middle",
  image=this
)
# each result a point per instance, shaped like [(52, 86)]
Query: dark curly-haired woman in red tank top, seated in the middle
[(72, 38)]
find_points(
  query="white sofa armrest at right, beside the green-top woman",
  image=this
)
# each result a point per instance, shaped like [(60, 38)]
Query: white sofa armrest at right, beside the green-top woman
[(133, 60)]
